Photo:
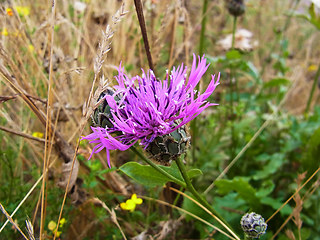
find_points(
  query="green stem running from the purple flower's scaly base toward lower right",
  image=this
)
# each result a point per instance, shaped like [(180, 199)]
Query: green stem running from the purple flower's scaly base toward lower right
[(194, 192)]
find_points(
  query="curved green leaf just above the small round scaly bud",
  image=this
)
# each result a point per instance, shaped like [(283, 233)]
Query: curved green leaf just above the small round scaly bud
[(242, 187)]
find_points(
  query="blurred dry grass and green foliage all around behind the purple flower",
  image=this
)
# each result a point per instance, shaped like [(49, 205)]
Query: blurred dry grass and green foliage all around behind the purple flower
[(258, 148)]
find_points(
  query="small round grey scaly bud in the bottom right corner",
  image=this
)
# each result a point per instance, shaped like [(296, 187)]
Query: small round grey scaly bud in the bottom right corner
[(253, 225)]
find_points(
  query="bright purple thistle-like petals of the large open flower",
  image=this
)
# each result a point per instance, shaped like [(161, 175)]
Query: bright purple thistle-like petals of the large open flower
[(151, 108)]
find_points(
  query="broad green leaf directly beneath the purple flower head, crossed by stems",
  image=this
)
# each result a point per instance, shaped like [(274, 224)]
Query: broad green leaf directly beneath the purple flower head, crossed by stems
[(150, 177)]
